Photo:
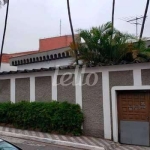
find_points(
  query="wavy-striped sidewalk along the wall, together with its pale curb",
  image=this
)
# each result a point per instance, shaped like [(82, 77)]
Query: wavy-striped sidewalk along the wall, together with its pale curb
[(82, 142)]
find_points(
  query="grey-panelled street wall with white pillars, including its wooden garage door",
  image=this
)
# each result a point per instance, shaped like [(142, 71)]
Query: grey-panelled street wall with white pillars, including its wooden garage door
[(118, 99)]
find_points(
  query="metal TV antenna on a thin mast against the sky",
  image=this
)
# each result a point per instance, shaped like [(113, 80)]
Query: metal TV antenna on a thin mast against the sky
[(135, 21)]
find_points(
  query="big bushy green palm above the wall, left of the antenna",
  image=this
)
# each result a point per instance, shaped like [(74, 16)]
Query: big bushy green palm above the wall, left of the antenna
[(98, 46)]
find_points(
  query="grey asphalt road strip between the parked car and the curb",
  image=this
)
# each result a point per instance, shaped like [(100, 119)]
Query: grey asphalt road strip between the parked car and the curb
[(32, 145)]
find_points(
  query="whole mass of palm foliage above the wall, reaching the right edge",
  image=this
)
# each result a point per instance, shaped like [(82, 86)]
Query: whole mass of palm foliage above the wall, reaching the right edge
[(99, 42)]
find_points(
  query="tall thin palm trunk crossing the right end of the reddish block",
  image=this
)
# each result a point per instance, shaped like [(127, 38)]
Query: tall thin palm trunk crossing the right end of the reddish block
[(73, 37)]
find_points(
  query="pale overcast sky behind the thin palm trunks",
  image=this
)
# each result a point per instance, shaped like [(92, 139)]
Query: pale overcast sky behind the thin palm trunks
[(31, 20)]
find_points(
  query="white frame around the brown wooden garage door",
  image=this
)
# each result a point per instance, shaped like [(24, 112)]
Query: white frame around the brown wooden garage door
[(114, 105)]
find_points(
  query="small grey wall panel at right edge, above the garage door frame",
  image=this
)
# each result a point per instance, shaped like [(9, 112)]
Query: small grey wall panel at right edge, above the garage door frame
[(145, 73)]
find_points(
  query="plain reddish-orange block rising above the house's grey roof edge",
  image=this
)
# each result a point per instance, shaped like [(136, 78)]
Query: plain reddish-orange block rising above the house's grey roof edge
[(55, 42)]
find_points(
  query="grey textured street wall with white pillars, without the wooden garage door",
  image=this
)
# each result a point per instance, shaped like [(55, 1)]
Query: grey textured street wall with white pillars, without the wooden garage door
[(96, 101)]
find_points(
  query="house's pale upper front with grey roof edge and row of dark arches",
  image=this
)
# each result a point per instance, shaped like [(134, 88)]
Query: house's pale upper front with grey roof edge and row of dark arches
[(45, 59)]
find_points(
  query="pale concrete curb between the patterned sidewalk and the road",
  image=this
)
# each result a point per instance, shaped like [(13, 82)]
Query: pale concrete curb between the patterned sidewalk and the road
[(51, 141)]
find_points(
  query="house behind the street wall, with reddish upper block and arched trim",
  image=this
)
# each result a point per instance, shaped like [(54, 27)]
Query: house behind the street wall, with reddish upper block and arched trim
[(52, 52)]
